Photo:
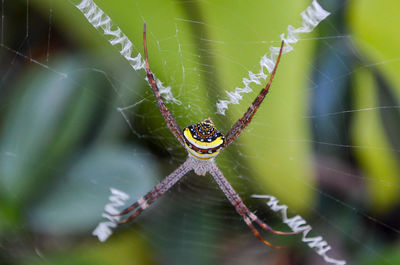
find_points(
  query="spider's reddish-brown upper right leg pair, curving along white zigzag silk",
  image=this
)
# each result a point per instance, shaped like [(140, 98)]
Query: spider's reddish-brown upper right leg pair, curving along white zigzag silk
[(242, 123)]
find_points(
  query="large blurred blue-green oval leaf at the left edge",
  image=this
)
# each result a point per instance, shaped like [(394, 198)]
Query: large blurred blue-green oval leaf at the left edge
[(45, 121)]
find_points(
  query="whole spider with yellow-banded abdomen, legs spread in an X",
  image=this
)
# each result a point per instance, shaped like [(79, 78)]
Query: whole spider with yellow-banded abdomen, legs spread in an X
[(203, 143)]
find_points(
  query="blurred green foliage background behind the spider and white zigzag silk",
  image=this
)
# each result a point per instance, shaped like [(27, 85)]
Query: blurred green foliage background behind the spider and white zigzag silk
[(76, 119)]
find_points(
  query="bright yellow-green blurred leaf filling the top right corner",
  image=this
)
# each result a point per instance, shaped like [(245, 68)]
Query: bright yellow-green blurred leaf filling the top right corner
[(374, 27)]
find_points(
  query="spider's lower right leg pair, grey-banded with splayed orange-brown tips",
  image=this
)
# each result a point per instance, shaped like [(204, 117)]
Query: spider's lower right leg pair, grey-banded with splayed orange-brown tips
[(242, 209)]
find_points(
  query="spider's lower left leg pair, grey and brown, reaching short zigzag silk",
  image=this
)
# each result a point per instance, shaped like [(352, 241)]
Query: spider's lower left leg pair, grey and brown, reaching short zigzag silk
[(140, 205)]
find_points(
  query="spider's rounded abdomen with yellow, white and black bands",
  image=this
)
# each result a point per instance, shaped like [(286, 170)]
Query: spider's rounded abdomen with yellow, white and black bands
[(203, 140)]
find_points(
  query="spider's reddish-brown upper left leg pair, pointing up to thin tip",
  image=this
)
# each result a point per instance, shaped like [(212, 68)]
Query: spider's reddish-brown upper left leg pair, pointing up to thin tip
[(170, 120)]
